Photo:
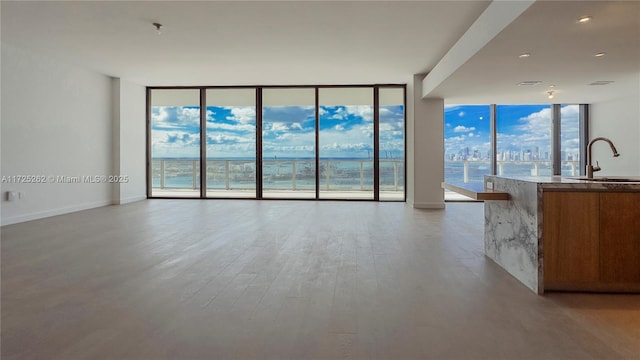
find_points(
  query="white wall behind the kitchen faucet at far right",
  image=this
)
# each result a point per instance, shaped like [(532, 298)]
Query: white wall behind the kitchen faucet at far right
[(618, 120)]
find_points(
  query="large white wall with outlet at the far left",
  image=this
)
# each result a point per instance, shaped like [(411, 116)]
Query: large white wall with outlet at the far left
[(56, 121)]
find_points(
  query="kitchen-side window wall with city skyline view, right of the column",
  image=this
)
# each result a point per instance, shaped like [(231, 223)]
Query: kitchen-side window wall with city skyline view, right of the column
[(524, 141)]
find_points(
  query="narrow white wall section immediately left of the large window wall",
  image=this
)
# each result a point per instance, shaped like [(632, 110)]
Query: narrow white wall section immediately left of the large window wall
[(129, 132)]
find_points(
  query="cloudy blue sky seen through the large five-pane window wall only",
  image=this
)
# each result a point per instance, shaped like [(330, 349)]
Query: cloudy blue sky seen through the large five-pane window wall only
[(287, 131)]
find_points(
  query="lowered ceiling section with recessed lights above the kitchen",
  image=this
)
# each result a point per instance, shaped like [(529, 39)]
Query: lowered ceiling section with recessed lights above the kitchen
[(562, 54)]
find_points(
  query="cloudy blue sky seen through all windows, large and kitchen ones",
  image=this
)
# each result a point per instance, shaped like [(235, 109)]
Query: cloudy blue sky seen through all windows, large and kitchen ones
[(347, 131)]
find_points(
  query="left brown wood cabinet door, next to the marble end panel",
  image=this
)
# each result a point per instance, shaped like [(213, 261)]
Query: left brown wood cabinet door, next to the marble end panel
[(570, 239)]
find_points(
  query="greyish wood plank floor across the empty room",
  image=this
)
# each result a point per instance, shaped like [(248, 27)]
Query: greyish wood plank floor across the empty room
[(194, 279)]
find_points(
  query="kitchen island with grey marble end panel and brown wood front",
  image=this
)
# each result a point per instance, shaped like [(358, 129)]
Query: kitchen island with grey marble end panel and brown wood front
[(566, 234)]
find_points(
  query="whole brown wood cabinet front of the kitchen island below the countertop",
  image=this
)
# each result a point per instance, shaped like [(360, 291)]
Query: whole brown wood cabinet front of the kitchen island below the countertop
[(591, 241)]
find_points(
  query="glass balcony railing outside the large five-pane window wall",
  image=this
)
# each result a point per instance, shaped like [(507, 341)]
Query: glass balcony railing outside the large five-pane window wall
[(290, 175)]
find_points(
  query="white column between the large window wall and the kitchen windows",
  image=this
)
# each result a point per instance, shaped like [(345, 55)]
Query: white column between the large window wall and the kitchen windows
[(425, 148)]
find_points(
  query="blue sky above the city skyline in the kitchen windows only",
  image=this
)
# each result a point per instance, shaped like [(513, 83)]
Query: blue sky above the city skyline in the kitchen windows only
[(520, 127)]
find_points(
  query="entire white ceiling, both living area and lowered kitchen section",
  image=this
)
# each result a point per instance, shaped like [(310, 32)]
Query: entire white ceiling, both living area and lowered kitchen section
[(338, 42)]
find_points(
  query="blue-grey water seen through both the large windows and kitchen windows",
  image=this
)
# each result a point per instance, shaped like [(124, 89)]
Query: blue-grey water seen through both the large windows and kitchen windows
[(342, 174)]
